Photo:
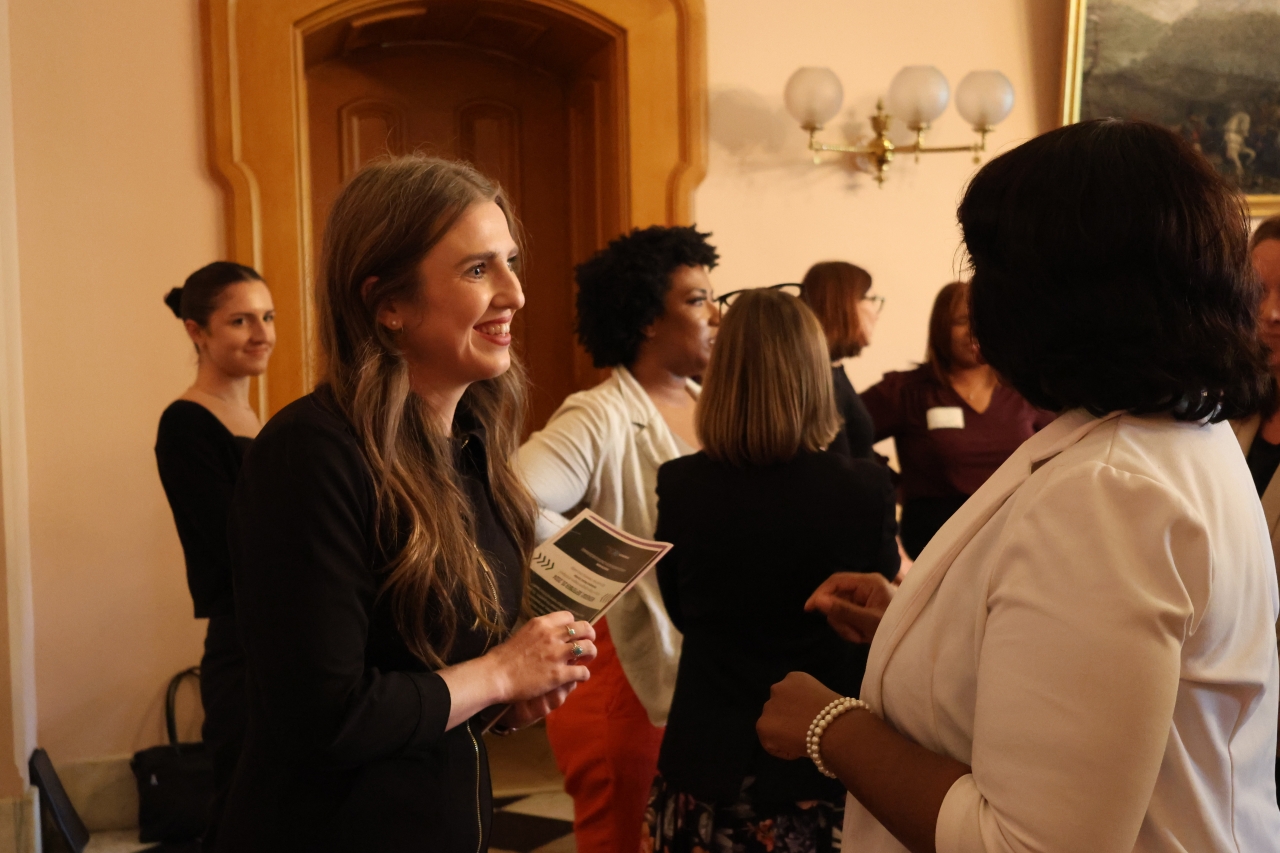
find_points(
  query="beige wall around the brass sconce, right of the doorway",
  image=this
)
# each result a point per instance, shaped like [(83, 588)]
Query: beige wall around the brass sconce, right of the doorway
[(774, 213)]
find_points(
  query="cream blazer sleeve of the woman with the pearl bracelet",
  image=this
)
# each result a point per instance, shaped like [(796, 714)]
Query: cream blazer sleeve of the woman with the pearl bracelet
[(1096, 586)]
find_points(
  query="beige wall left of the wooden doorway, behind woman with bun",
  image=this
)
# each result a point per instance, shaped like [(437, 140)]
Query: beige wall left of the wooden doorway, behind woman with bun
[(115, 207)]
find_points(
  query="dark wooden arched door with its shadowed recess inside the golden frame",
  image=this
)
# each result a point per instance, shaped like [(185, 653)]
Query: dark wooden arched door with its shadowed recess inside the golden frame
[(523, 93)]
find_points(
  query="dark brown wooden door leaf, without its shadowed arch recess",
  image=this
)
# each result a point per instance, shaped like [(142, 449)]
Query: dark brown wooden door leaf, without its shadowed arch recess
[(509, 120)]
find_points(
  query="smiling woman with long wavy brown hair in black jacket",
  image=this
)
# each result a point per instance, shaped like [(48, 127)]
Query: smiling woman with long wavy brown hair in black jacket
[(381, 539)]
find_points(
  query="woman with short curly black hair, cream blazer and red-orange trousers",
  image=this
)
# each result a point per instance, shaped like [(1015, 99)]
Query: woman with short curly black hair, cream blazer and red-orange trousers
[(646, 309)]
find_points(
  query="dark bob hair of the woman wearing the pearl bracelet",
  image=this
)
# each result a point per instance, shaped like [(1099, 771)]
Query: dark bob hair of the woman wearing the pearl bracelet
[(1112, 272)]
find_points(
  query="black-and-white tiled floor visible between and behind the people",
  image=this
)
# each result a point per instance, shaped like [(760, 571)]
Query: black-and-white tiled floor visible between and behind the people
[(532, 811)]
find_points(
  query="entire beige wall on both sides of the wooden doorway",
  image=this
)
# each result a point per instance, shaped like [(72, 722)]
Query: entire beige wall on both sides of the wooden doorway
[(116, 206)]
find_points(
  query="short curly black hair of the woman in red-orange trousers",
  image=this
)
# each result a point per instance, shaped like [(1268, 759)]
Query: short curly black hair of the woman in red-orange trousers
[(621, 289)]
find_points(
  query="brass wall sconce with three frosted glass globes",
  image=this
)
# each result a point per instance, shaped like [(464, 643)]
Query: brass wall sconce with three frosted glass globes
[(917, 95)]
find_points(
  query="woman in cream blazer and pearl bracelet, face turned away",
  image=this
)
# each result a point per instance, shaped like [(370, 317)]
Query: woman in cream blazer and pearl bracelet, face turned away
[(1084, 659)]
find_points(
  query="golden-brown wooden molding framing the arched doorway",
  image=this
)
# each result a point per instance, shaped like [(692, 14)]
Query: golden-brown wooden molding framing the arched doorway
[(255, 61)]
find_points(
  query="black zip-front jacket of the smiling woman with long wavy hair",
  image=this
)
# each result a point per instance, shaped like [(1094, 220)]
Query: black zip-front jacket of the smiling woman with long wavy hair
[(346, 746)]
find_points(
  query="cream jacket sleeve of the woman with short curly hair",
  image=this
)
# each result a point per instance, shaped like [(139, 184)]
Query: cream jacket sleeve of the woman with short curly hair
[(561, 463)]
